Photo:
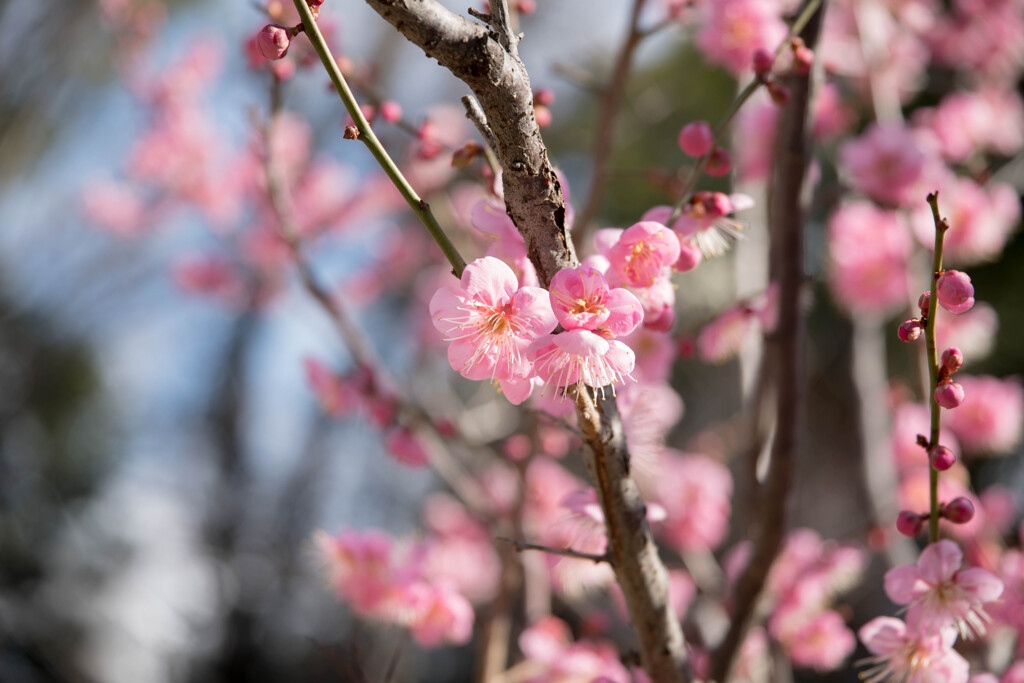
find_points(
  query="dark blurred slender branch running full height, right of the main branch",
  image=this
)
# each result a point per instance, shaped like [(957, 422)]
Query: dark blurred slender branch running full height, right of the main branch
[(787, 219)]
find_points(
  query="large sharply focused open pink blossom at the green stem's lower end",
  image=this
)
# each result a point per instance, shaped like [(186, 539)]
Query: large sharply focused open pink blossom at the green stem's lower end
[(491, 322)]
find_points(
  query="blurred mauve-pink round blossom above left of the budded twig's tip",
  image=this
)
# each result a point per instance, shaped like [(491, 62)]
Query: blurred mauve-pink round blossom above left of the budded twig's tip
[(887, 164)]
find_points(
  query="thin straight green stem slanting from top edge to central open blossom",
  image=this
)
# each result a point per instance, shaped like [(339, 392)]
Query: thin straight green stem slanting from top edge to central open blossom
[(418, 205)]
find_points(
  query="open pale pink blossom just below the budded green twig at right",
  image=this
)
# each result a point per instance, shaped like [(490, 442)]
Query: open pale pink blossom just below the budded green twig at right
[(940, 593)]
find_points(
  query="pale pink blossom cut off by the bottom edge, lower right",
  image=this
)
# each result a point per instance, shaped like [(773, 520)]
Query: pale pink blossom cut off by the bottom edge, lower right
[(901, 654)]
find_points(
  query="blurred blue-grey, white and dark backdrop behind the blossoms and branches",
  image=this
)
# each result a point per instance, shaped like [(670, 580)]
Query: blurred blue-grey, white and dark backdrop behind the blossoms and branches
[(163, 461)]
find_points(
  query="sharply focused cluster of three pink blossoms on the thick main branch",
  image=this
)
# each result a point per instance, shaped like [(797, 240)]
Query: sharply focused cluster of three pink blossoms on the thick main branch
[(502, 332)]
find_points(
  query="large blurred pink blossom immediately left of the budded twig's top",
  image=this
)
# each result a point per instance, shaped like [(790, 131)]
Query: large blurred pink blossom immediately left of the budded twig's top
[(869, 248)]
